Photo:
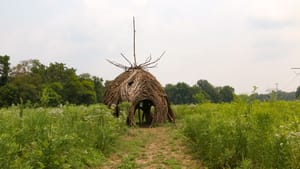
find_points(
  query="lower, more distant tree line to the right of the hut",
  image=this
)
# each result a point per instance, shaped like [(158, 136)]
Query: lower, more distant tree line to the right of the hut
[(203, 92)]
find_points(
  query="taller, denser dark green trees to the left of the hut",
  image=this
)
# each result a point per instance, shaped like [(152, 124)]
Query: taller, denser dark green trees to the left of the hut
[(31, 82)]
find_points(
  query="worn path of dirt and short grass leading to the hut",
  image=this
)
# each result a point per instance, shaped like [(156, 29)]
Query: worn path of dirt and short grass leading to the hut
[(159, 147)]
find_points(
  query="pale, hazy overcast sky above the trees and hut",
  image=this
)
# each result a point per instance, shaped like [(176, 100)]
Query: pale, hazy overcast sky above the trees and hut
[(240, 43)]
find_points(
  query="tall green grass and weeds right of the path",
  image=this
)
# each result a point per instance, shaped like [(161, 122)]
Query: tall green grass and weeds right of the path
[(240, 135)]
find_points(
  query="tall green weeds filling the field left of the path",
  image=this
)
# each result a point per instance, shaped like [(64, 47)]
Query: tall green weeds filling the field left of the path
[(66, 137)]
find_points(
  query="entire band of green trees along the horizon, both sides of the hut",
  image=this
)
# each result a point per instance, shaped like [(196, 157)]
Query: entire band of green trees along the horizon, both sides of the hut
[(33, 83)]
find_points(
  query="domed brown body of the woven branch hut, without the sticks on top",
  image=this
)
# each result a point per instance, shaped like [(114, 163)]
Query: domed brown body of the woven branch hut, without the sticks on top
[(143, 91)]
